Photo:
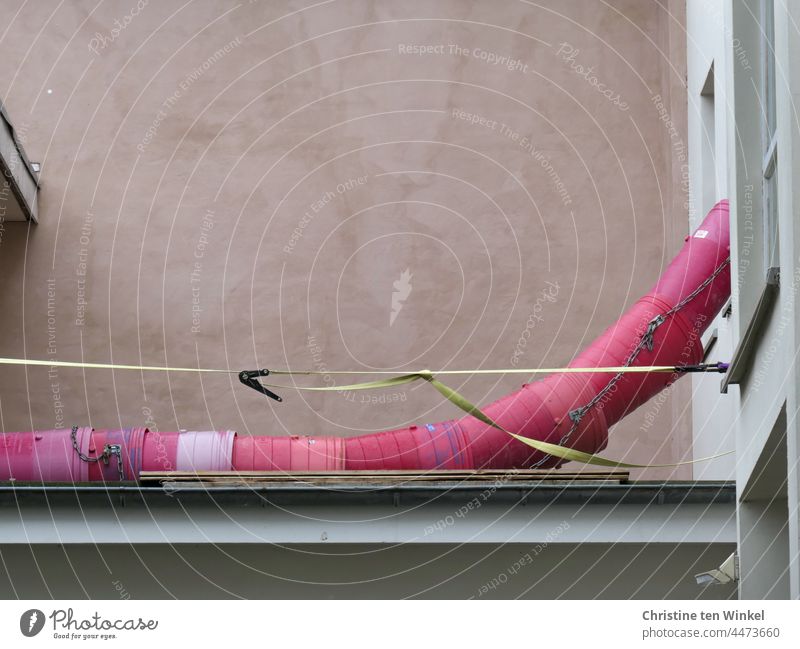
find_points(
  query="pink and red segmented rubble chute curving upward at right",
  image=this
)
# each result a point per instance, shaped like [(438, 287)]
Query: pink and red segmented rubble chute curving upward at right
[(691, 292)]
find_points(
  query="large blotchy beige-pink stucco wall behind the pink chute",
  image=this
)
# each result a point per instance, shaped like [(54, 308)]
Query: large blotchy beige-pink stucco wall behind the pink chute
[(180, 153)]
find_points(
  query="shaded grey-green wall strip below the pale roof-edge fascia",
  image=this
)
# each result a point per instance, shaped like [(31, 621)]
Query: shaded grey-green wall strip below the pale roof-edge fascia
[(201, 571)]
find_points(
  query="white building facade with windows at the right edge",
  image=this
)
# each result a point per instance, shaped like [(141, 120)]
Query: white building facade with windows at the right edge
[(743, 129)]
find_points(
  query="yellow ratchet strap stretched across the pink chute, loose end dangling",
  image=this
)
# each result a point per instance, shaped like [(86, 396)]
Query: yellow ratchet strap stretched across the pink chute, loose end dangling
[(450, 394)]
